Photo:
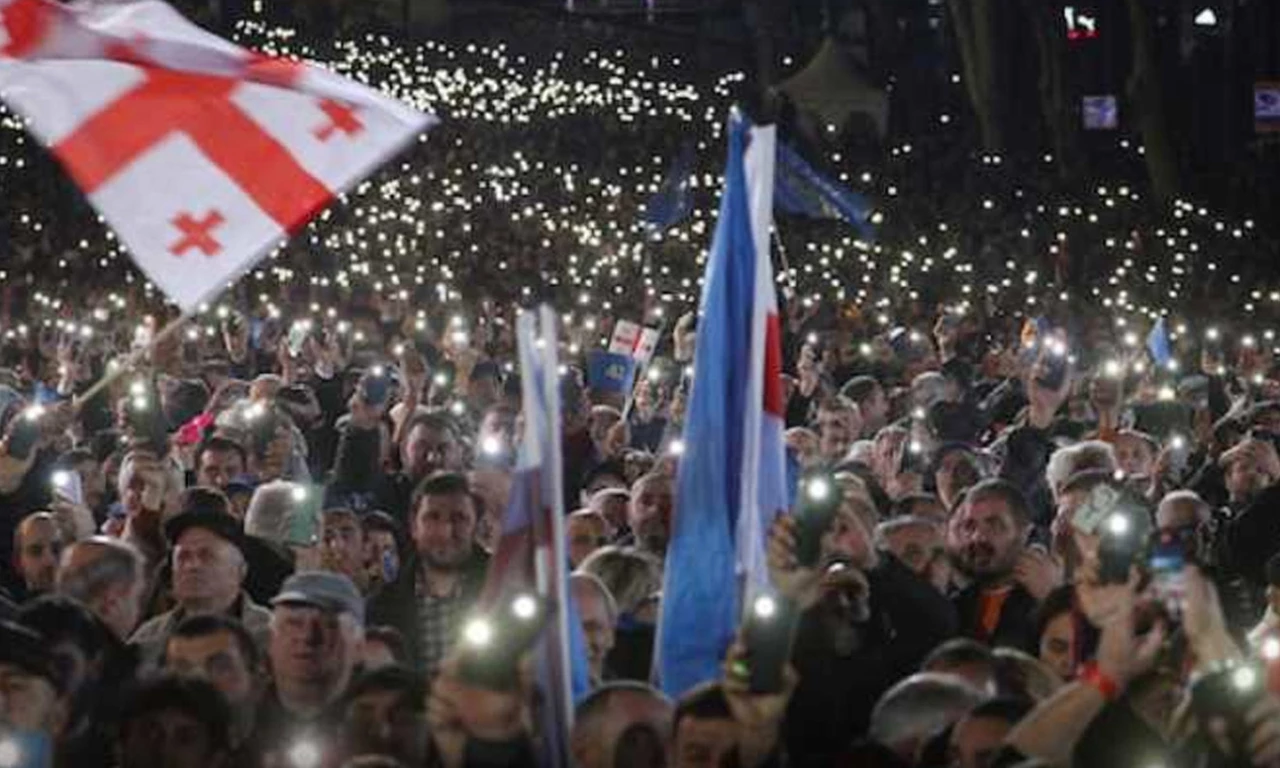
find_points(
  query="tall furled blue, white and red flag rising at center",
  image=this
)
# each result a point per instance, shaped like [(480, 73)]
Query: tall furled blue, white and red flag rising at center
[(732, 481)]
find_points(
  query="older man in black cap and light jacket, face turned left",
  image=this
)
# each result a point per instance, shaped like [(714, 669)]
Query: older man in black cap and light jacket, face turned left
[(208, 573)]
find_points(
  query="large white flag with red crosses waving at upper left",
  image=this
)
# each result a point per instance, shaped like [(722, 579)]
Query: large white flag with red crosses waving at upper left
[(202, 156)]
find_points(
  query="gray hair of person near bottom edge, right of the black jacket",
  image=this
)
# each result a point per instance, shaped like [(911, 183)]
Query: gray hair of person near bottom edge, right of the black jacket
[(920, 707)]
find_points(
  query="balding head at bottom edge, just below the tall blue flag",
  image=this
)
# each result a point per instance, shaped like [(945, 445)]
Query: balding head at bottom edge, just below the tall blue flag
[(623, 724)]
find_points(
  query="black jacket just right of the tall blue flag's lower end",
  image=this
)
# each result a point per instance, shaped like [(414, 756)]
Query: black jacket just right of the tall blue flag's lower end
[(840, 683)]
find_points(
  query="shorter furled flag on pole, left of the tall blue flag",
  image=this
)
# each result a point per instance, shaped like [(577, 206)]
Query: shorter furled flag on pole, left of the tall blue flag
[(532, 555)]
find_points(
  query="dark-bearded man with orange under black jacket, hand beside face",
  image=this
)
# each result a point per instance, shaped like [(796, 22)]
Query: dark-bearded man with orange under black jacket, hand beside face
[(1007, 579)]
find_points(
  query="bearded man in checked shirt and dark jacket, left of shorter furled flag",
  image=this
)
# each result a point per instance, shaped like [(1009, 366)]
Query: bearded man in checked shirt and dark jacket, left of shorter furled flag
[(440, 584)]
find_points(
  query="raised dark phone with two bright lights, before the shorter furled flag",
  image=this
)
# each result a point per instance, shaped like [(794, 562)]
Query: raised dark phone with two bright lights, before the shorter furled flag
[(493, 644)]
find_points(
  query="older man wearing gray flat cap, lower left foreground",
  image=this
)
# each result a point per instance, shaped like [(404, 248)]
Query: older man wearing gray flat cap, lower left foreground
[(318, 627)]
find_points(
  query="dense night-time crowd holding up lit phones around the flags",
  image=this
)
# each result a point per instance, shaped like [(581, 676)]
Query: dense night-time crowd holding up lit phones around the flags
[(1052, 540)]
